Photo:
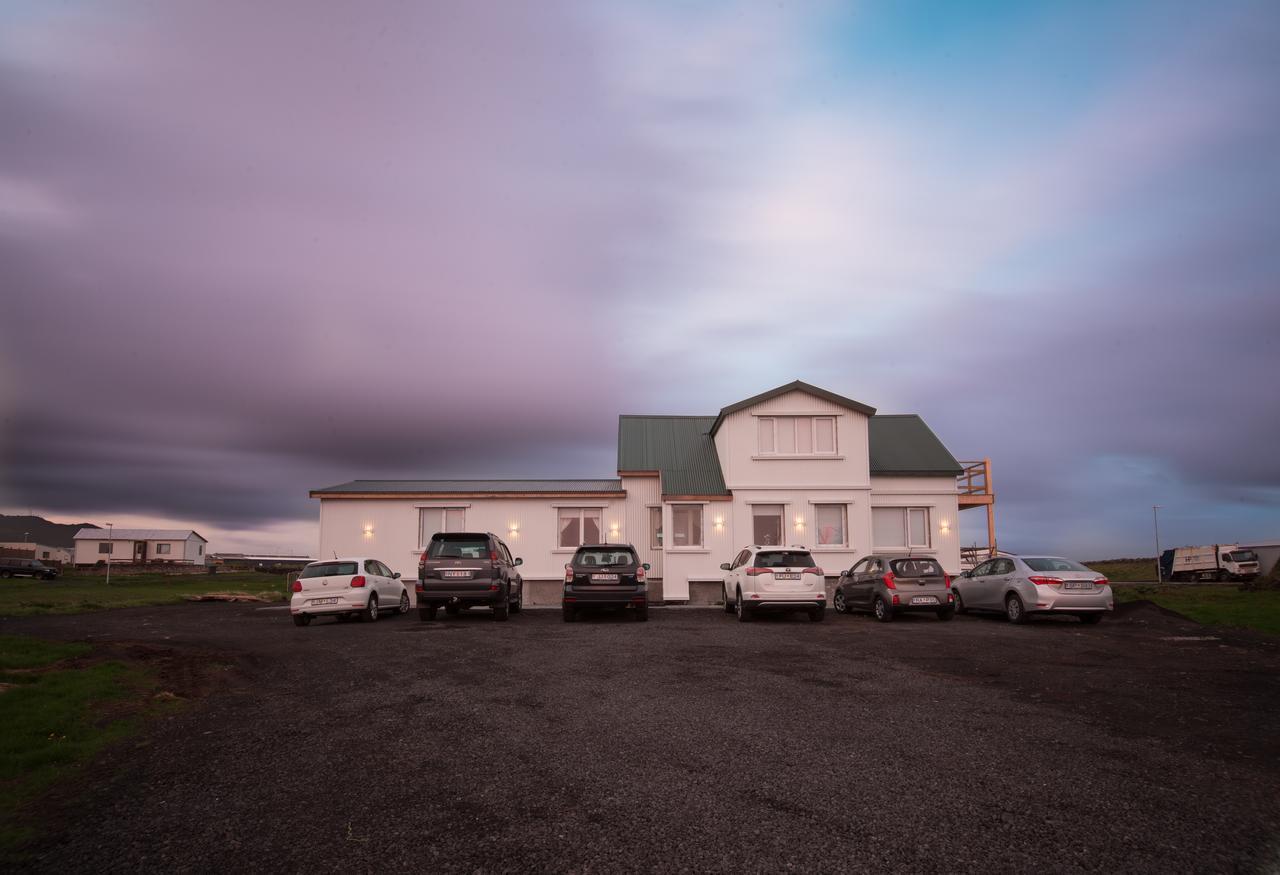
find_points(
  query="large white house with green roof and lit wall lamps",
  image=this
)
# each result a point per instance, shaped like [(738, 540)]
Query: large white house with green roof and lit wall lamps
[(797, 465)]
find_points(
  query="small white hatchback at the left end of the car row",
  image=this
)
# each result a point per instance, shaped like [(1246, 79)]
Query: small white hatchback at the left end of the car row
[(345, 589)]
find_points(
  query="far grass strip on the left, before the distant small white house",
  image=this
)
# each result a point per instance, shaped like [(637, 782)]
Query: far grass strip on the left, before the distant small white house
[(79, 594)]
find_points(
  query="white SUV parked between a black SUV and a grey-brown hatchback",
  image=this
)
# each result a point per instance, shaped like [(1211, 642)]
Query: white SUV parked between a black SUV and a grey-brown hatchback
[(775, 579)]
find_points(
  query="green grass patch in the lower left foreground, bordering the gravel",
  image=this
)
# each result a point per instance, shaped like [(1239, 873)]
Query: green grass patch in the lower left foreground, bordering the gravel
[(60, 708)]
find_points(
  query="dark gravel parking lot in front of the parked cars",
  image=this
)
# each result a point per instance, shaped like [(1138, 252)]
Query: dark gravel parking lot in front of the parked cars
[(692, 743)]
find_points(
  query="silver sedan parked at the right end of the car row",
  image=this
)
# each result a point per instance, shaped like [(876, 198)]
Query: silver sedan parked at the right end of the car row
[(1022, 587)]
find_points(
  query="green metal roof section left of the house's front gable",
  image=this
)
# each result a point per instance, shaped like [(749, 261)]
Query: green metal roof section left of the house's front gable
[(680, 448)]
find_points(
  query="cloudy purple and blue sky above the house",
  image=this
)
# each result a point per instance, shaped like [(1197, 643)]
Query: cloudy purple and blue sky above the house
[(250, 250)]
